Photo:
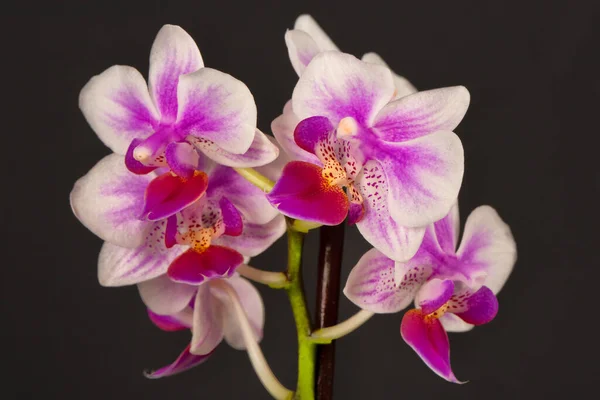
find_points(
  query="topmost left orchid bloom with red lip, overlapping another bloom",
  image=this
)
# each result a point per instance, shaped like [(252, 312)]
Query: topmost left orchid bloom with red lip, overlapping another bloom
[(186, 108)]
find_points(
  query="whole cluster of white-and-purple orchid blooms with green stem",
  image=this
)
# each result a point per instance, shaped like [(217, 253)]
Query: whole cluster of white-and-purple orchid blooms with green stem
[(194, 189)]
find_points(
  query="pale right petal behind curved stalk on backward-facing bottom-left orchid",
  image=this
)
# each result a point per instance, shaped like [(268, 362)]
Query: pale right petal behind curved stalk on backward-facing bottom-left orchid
[(253, 306)]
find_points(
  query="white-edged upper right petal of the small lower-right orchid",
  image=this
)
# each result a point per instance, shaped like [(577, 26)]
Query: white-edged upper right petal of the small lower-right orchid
[(488, 245)]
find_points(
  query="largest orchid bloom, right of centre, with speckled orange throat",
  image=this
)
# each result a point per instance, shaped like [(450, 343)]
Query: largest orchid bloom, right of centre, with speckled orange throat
[(398, 160)]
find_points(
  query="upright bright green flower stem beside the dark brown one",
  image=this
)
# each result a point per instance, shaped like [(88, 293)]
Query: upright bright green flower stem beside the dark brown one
[(306, 348)]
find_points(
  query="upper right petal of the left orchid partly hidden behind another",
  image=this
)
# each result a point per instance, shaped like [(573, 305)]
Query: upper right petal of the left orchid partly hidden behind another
[(247, 198)]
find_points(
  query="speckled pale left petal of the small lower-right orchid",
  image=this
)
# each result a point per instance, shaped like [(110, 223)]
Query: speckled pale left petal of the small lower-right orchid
[(372, 286)]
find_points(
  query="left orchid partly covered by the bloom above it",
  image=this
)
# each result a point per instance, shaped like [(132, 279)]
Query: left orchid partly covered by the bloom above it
[(110, 200)]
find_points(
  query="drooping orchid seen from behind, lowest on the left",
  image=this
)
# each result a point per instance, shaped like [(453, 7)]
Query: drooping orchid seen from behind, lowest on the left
[(206, 310)]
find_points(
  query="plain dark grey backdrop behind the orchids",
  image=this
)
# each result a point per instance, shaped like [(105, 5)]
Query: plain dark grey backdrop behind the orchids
[(530, 138)]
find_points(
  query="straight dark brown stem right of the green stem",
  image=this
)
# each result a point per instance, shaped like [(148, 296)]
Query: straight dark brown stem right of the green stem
[(328, 292)]
